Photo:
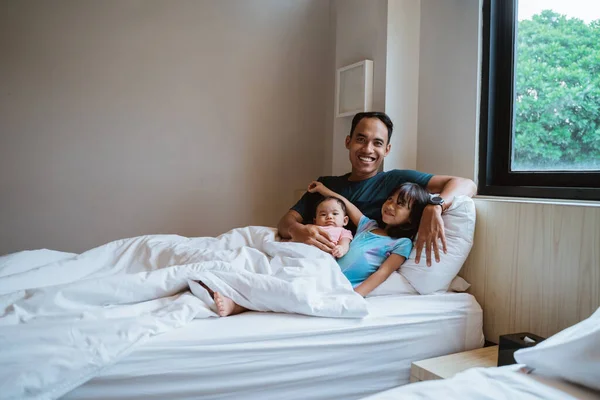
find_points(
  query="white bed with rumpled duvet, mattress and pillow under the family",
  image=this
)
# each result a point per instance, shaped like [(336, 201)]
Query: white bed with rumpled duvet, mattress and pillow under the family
[(129, 320)]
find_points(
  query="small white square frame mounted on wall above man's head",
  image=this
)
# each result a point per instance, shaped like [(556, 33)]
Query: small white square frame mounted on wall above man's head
[(354, 89)]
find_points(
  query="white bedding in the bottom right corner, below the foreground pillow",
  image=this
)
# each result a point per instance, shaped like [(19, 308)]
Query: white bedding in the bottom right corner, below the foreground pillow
[(501, 383)]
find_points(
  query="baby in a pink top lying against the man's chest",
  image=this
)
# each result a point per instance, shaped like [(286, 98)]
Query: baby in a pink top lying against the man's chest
[(331, 217)]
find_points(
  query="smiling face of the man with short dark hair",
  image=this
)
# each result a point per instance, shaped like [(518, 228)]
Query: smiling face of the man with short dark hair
[(367, 147)]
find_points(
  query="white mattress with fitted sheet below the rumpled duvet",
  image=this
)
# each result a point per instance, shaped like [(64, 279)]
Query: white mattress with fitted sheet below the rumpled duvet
[(284, 356)]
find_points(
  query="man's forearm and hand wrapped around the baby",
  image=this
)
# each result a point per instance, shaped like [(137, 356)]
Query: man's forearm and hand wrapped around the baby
[(290, 227)]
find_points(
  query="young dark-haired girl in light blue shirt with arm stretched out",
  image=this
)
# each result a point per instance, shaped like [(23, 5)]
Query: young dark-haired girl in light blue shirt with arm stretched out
[(376, 252)]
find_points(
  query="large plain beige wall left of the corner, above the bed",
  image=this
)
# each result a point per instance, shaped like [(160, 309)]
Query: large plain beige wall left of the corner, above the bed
[(121, 118)]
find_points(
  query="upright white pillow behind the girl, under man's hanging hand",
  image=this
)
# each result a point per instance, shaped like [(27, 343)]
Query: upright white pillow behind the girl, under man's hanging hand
[(459, 224)]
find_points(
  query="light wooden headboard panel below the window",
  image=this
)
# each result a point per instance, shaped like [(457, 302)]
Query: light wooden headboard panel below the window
[(534, 267)]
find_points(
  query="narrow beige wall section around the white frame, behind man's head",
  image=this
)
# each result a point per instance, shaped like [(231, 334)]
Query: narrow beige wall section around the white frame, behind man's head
[(386, 32)]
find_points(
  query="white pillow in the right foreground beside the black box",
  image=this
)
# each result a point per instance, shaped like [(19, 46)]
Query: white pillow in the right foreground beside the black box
[(572, 354)]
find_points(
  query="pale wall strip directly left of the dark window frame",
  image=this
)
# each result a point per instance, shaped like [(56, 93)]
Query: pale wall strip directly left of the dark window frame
[(448, 87)]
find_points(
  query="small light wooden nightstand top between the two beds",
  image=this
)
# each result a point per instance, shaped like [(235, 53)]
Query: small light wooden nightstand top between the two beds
[(447, 366)]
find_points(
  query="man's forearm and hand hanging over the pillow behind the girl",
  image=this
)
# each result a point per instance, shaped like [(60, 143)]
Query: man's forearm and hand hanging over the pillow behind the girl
[(431, 227)]
